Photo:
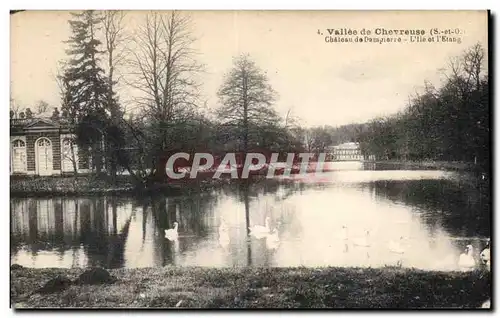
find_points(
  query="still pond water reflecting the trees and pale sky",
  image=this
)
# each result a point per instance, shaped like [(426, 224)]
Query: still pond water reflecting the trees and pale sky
[(351, 217)]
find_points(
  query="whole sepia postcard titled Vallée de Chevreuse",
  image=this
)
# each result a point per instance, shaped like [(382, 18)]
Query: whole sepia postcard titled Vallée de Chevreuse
[(250, 159)]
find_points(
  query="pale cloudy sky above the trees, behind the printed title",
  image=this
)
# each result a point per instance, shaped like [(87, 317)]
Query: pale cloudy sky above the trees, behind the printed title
[(321, 83)]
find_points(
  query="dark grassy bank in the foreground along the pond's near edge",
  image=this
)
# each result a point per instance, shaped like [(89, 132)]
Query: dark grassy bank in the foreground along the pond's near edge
[(258, 288)]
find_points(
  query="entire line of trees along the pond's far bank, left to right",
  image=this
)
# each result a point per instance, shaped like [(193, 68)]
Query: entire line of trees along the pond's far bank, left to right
[(158, 62)]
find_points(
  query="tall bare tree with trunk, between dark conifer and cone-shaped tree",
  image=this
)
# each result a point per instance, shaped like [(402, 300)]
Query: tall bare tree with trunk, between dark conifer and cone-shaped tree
[(164, 71)]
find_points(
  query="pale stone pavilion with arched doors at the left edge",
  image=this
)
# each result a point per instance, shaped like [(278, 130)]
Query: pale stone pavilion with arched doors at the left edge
[(42, 146)]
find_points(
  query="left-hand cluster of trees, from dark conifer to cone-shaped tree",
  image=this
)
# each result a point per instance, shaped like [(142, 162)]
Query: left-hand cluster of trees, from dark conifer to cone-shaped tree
[(162, 68)]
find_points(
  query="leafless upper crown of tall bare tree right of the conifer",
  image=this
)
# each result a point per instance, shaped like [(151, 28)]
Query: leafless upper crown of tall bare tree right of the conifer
[(164, 65)]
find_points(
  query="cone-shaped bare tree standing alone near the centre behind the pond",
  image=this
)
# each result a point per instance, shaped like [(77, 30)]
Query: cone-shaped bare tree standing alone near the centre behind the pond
[(247, 99)]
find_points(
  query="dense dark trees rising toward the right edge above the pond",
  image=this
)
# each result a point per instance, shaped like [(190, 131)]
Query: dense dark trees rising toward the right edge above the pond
[(449, 123)]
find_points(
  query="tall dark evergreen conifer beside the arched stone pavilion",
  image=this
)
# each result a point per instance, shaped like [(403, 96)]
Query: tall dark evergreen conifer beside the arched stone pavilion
[(87, 92)]
